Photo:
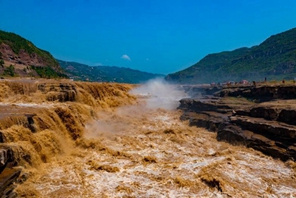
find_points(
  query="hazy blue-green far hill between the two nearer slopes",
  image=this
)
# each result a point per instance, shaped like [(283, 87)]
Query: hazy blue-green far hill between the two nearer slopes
[(83, 72)]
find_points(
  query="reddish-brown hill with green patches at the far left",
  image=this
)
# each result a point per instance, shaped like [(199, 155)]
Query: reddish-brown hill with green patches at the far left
[(20, 57)]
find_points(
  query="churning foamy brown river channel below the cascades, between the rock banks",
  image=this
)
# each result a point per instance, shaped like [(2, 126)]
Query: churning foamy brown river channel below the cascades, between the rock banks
[(140, 152)]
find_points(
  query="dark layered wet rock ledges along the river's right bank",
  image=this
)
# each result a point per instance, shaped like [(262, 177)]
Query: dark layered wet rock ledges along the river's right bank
[(262, 118)]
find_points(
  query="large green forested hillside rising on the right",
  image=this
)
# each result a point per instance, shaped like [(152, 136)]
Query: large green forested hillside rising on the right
[(275, 58)]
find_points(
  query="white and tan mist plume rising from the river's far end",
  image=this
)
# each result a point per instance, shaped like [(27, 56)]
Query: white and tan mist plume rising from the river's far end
[(154, 95)]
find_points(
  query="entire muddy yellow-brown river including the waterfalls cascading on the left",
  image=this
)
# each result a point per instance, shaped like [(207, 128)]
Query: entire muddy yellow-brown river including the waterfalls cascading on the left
[(85, 149)]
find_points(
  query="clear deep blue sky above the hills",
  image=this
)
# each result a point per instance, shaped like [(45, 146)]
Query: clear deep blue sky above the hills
[(159, 36)]
